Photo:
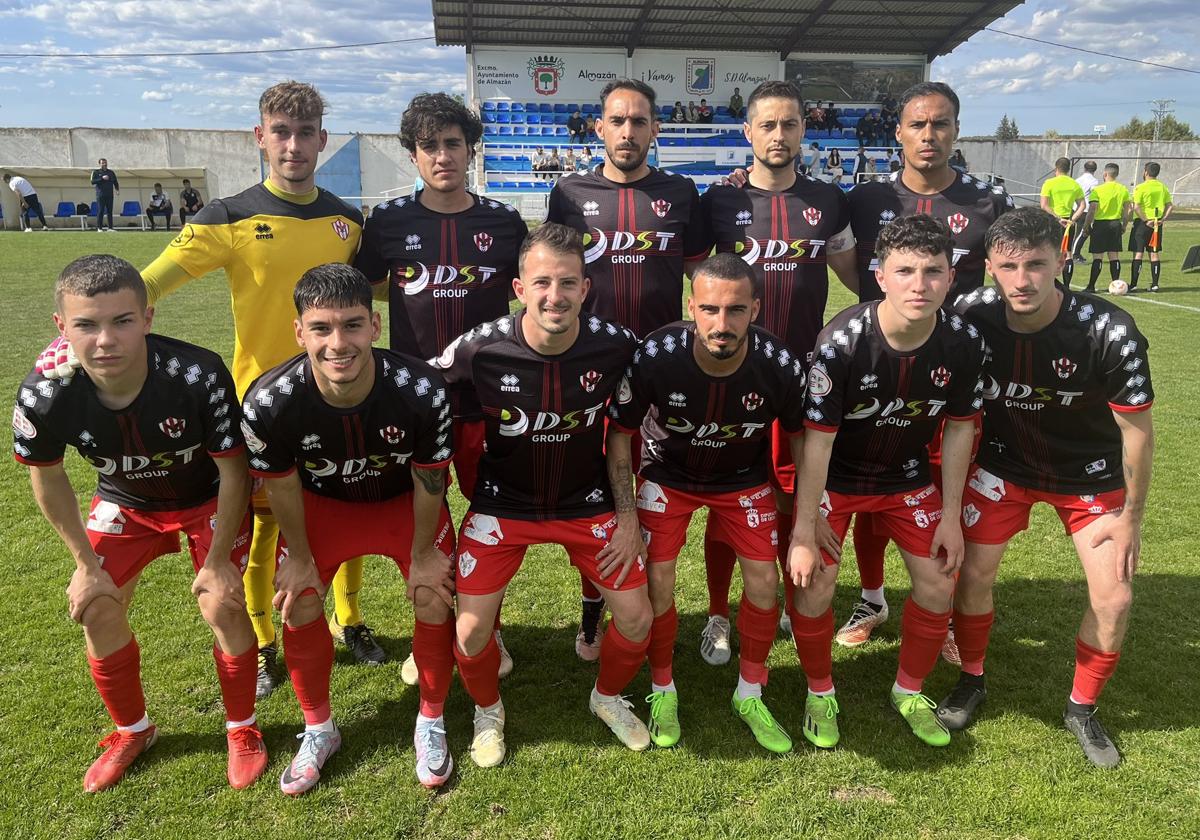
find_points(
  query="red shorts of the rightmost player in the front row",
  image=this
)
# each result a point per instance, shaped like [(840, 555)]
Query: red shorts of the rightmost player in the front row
[(994, 511)]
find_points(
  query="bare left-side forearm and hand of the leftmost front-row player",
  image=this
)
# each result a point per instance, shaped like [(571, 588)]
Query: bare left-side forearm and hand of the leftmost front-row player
[(57, 500)]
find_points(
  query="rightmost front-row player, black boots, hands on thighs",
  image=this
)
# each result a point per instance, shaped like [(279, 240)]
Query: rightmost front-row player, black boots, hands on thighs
[(1067, 422)]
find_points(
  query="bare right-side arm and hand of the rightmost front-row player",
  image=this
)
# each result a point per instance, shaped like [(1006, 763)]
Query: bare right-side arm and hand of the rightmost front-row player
[(1137, 454)]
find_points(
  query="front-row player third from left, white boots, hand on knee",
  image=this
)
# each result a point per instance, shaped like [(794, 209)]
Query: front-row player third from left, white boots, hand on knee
[(544, 377)]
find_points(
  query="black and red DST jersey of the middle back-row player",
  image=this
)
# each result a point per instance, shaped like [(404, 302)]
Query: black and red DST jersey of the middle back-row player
[(637, 238)]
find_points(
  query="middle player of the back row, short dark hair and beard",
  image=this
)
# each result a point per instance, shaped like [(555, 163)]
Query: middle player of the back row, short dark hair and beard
[(640, 225)]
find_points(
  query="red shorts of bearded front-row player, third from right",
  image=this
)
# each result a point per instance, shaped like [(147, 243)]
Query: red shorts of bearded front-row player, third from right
[(745, 519)]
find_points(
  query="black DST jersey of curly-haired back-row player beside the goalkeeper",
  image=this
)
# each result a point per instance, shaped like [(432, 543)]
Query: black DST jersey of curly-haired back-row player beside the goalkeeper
[(446, 273)]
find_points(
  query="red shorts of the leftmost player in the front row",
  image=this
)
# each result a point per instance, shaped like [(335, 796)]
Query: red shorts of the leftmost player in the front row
[(128, 541)]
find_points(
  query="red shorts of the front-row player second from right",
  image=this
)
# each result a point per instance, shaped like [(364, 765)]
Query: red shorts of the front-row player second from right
[(909, 519)]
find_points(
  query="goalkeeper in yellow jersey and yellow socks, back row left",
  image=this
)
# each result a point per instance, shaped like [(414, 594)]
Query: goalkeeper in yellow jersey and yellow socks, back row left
[(266, 238)]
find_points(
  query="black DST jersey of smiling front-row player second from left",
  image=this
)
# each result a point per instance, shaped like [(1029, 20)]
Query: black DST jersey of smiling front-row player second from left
[(361, 454)]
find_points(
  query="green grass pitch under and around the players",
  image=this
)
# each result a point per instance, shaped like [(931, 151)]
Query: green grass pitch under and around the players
[(1017, 773)]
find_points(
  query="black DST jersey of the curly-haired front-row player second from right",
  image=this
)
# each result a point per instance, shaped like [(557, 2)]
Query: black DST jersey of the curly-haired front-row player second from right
[(887, 406)]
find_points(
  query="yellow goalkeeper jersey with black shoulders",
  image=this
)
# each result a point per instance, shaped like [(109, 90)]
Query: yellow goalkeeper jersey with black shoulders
[(265, 239)]
